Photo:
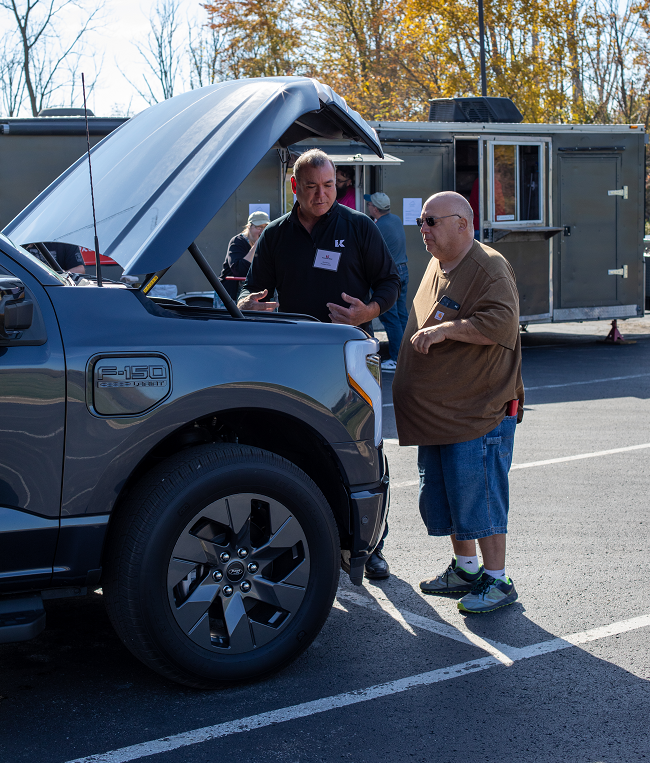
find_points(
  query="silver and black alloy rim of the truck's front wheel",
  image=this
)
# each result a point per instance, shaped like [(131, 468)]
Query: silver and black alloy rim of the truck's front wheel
[(238, 573)]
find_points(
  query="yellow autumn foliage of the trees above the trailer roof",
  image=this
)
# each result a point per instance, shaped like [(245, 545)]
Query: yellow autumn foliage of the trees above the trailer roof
[(559, 60)]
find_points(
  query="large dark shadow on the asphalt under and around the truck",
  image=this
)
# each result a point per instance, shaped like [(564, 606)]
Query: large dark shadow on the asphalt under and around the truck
[(77, 690)]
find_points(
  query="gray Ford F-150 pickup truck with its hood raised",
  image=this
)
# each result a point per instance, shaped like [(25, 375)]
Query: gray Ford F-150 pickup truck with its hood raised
[(209, 470)]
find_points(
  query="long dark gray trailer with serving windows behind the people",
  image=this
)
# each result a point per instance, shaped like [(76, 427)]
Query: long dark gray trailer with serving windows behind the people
[(563, 203)]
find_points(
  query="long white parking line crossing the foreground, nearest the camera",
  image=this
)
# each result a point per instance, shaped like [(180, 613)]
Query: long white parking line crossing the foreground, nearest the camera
[(337, 701)]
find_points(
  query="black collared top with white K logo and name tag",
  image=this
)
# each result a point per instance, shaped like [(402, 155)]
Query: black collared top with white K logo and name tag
[(287, 259)]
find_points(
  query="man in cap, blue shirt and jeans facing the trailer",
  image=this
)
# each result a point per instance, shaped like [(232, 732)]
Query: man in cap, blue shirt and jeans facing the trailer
[(391, 228)]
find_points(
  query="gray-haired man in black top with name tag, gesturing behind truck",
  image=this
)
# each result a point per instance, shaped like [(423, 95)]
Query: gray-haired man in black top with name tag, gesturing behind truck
[(323, 259)]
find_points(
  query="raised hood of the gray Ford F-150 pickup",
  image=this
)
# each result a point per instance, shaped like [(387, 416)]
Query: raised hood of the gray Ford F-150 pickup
[(162, 176)]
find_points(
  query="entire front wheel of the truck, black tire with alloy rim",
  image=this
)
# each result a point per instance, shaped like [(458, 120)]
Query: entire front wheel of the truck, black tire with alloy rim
[(183, 516)]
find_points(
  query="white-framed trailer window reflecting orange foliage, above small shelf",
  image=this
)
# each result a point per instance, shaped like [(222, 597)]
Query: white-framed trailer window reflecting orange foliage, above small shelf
[(515, 183)]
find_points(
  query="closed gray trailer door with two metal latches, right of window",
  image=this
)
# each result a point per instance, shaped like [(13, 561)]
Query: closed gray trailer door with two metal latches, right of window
[(589, 216)]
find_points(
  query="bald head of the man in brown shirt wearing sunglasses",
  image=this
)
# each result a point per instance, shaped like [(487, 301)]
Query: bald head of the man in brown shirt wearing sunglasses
[(452, 235)]
